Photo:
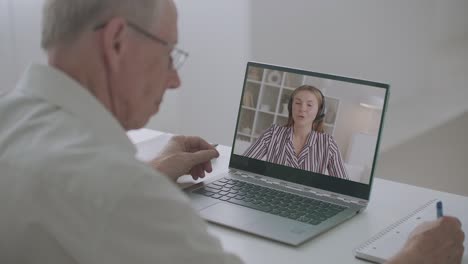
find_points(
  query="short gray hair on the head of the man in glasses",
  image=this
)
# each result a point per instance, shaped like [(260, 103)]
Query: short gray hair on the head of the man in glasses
[(64, 20)]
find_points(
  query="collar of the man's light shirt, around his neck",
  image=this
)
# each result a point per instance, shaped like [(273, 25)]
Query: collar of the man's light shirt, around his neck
[(57, 88)]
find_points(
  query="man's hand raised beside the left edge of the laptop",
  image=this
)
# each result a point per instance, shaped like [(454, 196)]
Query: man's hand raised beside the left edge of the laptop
[(185, 155)]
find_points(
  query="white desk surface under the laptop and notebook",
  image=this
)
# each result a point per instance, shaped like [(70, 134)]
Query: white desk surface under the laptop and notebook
[(390, 201)]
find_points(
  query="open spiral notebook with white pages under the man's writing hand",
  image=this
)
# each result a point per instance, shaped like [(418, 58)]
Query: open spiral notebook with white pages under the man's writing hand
[(389, 241)]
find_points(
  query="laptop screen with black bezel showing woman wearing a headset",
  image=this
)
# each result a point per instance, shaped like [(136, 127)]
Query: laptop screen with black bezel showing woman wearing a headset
[(310, 128)]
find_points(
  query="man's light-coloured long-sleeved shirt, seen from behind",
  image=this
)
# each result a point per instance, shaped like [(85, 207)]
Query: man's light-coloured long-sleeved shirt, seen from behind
[(71, 190)]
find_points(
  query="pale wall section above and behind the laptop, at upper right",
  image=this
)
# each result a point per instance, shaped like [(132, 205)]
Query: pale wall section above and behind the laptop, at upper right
[(420, 47)]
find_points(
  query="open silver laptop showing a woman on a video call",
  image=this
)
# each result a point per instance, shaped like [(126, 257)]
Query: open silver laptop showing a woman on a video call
[(293, 199)]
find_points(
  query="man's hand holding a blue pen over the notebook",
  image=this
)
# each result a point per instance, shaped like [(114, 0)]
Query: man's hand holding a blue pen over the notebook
[(439, 241)]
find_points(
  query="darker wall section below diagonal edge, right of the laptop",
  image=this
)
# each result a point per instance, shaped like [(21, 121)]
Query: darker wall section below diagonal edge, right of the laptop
[(436, 159)]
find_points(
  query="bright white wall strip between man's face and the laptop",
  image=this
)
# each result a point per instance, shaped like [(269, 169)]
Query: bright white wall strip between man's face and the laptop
[(217, 35)]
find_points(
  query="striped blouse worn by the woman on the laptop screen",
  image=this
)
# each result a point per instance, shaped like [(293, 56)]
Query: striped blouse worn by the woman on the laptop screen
[(319, 154)]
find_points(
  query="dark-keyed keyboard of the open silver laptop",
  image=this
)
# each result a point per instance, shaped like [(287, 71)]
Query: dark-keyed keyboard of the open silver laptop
[(303, 209)]
